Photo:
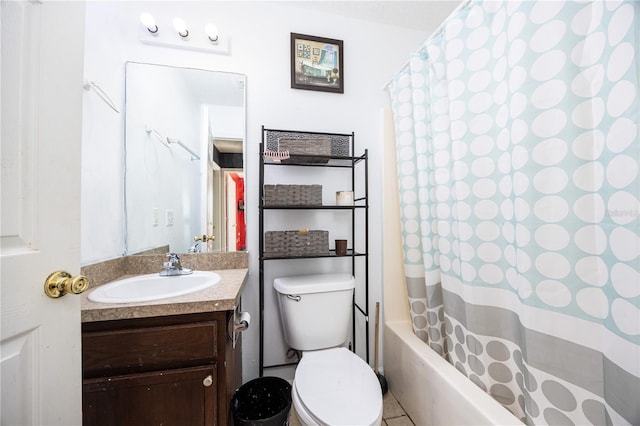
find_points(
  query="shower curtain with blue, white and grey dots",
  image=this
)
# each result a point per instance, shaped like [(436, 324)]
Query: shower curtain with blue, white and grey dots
[(518, 168)]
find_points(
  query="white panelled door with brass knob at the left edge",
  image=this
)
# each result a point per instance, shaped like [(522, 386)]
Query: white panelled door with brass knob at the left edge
[(41, 70)]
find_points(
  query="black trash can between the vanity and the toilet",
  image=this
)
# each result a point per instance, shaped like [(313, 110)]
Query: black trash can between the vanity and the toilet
[(264, 401)]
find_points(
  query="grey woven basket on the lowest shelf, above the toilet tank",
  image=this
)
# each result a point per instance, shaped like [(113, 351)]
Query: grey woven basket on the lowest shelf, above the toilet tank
[(296, 243)]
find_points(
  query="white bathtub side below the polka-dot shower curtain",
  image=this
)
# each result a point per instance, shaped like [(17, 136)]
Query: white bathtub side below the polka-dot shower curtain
[(431, 390)]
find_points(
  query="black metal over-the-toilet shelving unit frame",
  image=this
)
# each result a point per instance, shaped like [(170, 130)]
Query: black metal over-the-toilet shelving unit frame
[(361, 203)]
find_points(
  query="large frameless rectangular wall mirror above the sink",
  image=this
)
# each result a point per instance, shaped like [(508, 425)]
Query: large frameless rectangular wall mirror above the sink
[(184, 144)]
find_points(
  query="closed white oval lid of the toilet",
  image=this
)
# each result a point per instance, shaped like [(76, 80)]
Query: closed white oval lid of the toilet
[(338, 387)]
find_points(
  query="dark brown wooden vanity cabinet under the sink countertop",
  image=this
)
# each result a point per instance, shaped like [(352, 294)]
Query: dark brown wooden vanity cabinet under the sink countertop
[(170, 370)]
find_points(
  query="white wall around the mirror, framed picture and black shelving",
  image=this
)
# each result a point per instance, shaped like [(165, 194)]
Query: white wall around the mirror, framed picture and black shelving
[(260, 43)]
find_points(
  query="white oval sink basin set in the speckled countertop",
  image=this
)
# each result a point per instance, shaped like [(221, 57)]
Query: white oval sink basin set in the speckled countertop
[(144, 288)]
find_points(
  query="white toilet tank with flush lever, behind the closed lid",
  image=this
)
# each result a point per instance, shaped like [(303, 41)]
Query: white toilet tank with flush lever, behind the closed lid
[(315, 309)]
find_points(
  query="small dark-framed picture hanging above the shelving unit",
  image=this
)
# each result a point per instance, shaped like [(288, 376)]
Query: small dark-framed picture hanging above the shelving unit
[(317, 63)]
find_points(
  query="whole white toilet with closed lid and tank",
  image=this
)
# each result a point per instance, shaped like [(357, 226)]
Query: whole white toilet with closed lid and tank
[(332, 385)]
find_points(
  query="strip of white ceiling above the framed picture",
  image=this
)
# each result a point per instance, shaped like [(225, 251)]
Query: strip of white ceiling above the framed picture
[(423, 15)]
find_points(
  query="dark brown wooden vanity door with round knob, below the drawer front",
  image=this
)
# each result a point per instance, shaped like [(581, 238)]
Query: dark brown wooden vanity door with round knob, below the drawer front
[(176, 397)]
